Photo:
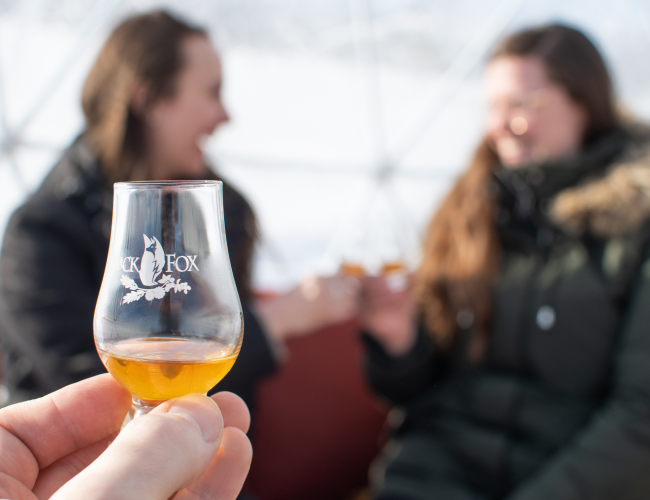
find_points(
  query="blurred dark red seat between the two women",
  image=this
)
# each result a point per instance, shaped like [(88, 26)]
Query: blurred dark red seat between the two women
[(317, 425)]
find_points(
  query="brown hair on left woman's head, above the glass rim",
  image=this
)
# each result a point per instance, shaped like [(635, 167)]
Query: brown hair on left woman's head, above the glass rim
[(143, 49)]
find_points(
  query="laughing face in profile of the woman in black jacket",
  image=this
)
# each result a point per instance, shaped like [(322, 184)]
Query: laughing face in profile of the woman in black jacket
[(176, 126)]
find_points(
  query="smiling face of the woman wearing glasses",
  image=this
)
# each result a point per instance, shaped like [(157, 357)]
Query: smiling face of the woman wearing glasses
[(531, 118)]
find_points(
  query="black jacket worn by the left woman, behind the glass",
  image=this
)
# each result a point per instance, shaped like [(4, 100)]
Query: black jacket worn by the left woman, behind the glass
[(51, 269)]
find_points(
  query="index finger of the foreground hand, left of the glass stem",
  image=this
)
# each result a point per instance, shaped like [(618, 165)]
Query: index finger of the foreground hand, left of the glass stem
[(67, 420)]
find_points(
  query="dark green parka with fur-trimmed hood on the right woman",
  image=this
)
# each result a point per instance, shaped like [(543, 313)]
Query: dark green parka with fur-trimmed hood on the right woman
[(559, 406)]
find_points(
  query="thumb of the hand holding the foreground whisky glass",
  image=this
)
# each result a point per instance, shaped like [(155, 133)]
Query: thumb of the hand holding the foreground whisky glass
[(155, 455)]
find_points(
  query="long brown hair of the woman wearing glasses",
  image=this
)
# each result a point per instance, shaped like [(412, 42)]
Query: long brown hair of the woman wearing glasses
[(462, 251)]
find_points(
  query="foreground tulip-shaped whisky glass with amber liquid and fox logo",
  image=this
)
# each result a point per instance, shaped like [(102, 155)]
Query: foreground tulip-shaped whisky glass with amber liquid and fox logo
[(168, 320)]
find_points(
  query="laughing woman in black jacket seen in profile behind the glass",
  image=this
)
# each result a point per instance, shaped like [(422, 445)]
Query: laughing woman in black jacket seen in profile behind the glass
[(150, 99)]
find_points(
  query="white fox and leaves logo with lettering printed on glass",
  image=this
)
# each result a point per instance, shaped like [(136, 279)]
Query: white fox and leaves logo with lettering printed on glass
[(151, 265)]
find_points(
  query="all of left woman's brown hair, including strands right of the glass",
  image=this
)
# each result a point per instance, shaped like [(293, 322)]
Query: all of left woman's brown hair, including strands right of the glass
[(148, 49)]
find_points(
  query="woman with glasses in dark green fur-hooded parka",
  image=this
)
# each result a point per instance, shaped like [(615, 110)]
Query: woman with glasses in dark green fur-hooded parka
[(521, 365)]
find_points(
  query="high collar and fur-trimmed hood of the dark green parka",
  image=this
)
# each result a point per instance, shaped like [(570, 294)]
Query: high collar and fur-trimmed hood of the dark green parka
[(604, 191)]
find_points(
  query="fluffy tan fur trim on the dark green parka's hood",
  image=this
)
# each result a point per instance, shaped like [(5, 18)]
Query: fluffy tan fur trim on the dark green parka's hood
[(609, 206)]
